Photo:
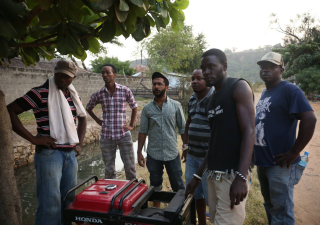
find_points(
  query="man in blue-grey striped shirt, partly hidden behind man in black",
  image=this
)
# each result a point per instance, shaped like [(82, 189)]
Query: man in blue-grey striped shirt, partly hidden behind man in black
[(197, 137)]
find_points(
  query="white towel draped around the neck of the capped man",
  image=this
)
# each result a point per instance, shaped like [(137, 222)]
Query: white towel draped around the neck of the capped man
[(62, 126)]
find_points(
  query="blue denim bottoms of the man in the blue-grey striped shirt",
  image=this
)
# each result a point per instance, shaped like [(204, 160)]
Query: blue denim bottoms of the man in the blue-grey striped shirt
[(192, 165)]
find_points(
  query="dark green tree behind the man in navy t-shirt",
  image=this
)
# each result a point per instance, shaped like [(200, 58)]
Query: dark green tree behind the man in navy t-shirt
[(301, 53)]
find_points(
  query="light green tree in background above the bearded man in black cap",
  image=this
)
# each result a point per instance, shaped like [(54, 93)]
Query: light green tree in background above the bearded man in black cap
[(175, 51)]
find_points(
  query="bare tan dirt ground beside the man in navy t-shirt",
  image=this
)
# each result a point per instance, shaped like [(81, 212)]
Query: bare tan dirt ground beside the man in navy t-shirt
[(307, 191)]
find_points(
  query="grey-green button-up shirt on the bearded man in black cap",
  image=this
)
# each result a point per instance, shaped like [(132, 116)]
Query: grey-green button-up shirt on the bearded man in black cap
[(160, 126)]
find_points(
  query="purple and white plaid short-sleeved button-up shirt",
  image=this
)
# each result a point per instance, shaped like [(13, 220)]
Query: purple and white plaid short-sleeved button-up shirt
[(114, 110)]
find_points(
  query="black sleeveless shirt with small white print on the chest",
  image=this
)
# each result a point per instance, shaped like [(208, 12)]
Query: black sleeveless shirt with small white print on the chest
[(225, 140)]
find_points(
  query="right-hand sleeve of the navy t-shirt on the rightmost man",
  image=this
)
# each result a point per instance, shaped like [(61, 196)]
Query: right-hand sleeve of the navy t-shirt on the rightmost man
[(298, 103)]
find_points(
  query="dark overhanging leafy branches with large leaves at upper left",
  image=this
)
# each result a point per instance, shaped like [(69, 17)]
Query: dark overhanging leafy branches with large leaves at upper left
[(39, 28)]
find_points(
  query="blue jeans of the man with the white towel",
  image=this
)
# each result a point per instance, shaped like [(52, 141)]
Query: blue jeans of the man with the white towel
[(56, 174)]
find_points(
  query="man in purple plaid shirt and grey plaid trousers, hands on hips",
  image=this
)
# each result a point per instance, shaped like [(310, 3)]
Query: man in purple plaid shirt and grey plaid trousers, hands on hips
[(115, 132)]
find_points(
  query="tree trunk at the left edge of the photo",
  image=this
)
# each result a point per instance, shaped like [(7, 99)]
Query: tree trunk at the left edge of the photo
[(10, 204)]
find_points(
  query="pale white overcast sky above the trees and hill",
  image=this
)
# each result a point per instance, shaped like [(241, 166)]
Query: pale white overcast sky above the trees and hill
[(243, 24)]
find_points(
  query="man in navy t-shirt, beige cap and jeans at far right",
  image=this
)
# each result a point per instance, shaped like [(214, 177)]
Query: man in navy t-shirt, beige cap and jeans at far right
[(277, 150)]
